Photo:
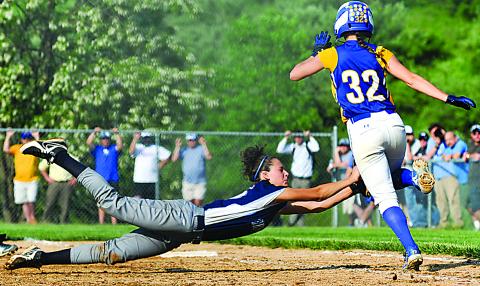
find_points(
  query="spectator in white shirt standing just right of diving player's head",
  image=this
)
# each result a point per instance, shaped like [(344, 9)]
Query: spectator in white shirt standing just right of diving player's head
[(302, 150)]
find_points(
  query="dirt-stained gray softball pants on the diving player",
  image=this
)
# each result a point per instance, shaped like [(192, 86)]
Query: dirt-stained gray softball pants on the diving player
[(164, 225)]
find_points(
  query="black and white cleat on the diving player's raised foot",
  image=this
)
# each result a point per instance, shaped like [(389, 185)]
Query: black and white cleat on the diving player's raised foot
[(46, 149)]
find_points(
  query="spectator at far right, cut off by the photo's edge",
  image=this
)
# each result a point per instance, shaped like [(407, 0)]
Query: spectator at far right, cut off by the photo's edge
[(472, 156)]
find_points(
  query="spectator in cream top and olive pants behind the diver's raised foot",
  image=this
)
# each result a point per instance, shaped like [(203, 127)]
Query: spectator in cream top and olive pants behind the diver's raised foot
[(60, 188)]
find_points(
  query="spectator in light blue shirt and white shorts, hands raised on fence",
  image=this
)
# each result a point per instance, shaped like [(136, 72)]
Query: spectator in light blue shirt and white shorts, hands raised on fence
[(194, 183)]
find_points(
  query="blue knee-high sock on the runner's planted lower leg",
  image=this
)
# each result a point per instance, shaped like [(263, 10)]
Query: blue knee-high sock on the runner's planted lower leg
[(396, 220)]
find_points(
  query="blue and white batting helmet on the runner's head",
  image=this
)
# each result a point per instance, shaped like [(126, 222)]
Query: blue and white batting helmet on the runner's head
[(353, 16)]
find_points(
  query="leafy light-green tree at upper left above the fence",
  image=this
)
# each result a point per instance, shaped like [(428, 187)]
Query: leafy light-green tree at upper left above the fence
[(70, 64)]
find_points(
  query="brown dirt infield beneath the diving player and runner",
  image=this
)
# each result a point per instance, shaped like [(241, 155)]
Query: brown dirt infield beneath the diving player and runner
[(214, 264)]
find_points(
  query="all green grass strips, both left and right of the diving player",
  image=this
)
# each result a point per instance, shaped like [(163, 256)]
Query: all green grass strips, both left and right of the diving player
[(431, 241)]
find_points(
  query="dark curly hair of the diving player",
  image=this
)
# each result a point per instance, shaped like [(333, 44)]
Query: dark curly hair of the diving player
[(254, 162)]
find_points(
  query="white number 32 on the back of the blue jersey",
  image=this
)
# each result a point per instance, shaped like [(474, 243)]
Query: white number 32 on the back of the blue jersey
[(351, 77)]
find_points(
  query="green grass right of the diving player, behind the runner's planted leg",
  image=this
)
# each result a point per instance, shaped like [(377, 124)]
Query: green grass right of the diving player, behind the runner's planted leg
[(430, 241)]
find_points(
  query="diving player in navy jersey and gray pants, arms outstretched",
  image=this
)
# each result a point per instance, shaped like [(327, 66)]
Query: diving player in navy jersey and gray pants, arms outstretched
[(165, 225)]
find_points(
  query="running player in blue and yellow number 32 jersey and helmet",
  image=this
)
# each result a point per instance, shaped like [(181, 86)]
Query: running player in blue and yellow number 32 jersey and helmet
[(377, 135)]
